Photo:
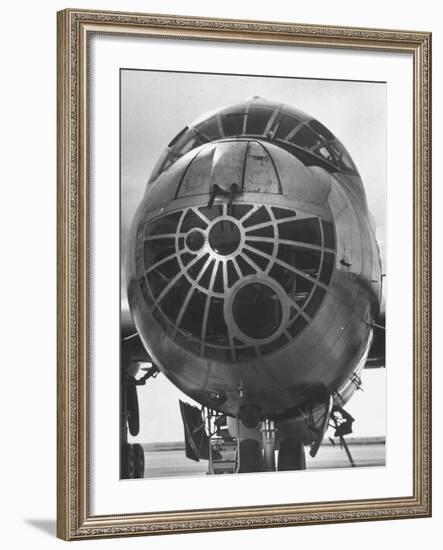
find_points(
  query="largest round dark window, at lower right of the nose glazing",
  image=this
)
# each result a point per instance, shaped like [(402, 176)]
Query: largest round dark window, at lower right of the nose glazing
[(257, 311)]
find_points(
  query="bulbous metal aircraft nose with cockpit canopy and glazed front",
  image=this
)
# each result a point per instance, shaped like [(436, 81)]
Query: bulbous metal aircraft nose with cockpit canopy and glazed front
[(254, 276)]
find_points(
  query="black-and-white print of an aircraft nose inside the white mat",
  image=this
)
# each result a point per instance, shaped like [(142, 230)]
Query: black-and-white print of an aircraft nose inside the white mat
[(252, 274)]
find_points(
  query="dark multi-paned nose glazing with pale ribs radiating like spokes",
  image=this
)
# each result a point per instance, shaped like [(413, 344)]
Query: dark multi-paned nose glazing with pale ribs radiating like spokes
[(191, 292)]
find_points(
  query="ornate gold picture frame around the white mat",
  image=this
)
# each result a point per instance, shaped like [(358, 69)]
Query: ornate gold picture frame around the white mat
[(77, 517)]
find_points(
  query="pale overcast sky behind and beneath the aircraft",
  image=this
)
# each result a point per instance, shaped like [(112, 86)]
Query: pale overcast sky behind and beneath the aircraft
[(155, 106)]
